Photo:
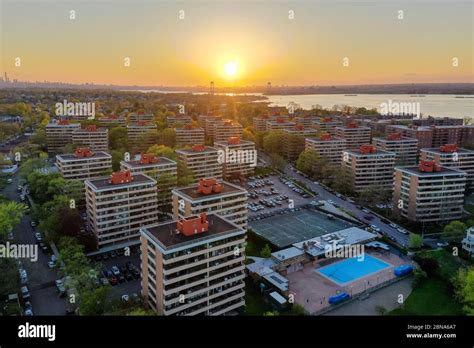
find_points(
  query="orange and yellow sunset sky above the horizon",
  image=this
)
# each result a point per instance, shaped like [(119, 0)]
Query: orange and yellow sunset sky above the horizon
[(188, 43)]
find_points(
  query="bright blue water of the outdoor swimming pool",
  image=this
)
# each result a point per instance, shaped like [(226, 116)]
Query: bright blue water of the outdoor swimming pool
[(351, 269)]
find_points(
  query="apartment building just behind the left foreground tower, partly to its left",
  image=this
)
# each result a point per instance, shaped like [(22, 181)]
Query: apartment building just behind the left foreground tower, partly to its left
[(84, 164)]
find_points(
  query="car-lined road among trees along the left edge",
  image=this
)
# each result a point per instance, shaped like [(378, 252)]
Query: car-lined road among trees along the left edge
[(44, 298)]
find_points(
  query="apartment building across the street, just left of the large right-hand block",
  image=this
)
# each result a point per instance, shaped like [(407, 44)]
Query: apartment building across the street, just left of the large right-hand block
[(370, 168)]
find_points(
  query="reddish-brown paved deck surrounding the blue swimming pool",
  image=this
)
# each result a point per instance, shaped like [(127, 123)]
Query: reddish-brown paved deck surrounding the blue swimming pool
[(312, 290)]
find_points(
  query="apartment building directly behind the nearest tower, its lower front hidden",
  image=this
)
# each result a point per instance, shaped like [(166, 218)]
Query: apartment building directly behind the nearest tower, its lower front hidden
[(210, 195)]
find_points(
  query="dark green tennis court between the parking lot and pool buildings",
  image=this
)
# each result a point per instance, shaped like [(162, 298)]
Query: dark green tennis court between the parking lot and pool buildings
[(284, 230)]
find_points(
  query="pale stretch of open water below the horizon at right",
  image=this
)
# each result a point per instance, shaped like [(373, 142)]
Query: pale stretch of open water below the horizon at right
[(439, 105)]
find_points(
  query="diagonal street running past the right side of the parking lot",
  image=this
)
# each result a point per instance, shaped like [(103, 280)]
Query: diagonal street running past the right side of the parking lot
[(400, 238)]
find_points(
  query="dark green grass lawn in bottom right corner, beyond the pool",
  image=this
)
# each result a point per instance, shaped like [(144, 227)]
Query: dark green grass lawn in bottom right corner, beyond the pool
[(430, 297)]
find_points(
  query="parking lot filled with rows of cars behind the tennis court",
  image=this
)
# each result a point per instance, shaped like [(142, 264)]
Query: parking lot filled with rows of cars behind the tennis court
[(269, 195)]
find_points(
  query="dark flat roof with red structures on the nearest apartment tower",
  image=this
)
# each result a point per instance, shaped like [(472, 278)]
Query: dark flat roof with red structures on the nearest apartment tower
[(169, 235)]
